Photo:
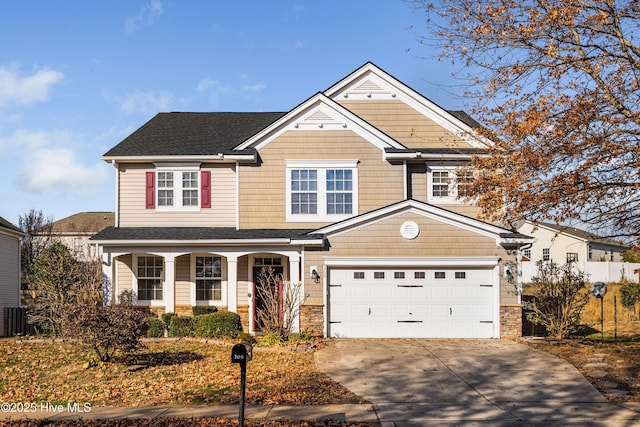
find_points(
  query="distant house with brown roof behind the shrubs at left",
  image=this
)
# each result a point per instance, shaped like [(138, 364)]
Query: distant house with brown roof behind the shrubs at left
[(74, 231)]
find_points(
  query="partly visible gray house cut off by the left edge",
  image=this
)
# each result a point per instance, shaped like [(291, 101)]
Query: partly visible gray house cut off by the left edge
[(9, 268)]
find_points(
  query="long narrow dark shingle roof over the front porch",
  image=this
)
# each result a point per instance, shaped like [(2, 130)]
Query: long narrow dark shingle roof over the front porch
[(199, 233)]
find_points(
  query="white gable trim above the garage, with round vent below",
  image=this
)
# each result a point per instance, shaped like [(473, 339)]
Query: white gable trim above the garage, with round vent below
[(419, 208)]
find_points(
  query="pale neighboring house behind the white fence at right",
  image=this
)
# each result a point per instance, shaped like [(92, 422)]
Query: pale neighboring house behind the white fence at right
[(562, 244)]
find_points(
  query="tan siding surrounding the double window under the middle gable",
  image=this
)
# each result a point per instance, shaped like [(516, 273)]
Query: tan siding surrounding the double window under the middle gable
[(263, 188)]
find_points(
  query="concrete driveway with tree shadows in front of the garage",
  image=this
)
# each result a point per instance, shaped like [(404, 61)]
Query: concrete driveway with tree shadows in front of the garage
[(420, 382)]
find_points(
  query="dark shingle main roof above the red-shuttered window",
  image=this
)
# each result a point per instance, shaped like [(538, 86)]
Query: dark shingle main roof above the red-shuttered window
[(192, 134)]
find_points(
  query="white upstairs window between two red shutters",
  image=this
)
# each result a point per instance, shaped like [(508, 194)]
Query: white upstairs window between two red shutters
[(178, 187)]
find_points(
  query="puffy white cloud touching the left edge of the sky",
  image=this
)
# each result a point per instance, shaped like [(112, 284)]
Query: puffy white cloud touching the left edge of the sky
[(26, 89)]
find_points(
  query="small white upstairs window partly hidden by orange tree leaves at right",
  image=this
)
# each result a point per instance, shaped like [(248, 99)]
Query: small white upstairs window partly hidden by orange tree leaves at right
[(448, 183)]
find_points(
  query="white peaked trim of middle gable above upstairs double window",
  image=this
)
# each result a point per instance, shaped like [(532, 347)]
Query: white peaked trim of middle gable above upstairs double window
[(320, 113)]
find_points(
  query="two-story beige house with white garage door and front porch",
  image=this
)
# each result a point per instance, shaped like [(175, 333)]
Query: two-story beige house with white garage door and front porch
[(352, 193)]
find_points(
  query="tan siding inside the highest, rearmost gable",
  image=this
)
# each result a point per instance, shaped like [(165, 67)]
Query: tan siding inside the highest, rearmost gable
[(404, 124)]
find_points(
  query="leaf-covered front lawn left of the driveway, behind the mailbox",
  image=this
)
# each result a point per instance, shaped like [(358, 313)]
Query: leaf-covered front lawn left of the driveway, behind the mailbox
[(167, 372)]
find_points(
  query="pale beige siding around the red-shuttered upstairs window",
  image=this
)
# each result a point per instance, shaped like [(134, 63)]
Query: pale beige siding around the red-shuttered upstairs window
[(132, 200)]
